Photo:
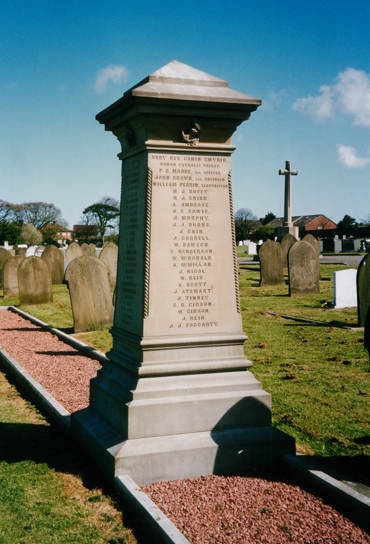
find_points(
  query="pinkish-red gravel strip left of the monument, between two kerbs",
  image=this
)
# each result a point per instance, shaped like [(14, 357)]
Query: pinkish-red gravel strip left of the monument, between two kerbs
[(59, 368)]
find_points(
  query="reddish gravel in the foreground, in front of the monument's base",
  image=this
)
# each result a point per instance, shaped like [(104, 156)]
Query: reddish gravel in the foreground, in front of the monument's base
[(236, 509)]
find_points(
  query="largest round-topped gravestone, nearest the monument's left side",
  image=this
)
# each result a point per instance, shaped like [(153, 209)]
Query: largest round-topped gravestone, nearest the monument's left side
[(91, 299)]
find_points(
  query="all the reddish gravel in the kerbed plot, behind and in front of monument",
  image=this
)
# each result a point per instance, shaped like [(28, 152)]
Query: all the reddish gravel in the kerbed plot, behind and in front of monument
[(207, 510)]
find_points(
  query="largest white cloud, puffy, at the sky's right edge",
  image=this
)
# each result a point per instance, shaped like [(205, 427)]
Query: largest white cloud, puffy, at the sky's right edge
[(349, 95)]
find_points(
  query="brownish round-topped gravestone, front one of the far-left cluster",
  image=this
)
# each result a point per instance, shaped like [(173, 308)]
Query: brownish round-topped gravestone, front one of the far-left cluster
[(34, 282)]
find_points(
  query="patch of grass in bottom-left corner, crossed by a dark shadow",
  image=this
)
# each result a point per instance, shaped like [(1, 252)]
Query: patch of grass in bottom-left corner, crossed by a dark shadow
[(47, 486)]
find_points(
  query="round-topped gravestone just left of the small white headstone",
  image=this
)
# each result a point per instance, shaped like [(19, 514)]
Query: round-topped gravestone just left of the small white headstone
[(304, 270)]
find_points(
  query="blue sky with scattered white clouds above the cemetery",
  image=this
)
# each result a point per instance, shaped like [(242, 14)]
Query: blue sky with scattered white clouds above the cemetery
[(61, 63)]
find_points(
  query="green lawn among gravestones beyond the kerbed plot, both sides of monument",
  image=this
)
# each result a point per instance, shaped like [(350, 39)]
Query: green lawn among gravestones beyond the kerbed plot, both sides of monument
[(318, 375)]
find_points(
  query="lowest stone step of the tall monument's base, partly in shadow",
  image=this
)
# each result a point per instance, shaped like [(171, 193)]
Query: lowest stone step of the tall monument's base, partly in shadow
[(164, 458)]
